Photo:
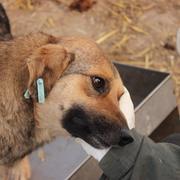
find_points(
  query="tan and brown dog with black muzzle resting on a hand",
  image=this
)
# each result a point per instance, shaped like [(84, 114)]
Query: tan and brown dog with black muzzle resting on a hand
[(82, 89)]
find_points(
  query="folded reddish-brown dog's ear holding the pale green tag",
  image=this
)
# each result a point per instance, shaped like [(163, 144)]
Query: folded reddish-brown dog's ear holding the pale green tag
[(47, 62)]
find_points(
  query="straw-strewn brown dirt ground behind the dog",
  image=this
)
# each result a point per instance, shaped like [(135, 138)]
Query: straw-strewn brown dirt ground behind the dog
[(138, 32)]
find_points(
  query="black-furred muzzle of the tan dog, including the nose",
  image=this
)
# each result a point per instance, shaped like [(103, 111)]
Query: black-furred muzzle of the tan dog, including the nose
[(95, 129)]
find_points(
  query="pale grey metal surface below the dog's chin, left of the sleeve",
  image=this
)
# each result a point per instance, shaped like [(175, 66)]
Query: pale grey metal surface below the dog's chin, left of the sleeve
[(62, 157)]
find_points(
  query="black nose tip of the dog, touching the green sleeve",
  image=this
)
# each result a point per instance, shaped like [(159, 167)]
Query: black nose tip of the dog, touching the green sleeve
[(125, 137)]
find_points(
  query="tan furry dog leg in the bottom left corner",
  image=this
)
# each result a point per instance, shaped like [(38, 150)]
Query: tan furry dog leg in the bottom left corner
[(20, 171)]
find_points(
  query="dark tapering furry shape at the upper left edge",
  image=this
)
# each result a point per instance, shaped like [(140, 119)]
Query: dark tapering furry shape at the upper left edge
[(5, 28)]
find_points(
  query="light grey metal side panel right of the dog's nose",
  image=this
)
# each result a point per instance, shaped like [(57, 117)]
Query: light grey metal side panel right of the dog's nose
[(155, 107)]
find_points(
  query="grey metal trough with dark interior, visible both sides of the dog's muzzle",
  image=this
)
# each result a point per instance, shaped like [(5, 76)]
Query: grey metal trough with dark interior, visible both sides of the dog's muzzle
[(152, 94)]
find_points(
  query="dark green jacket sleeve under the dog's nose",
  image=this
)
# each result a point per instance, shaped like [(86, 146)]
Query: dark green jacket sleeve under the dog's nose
[(142, 160)]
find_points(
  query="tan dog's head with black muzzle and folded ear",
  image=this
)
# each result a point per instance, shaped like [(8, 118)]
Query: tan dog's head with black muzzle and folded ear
[(82, 92)]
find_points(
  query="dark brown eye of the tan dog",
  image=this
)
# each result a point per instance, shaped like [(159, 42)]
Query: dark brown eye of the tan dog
[(99, 84)]
